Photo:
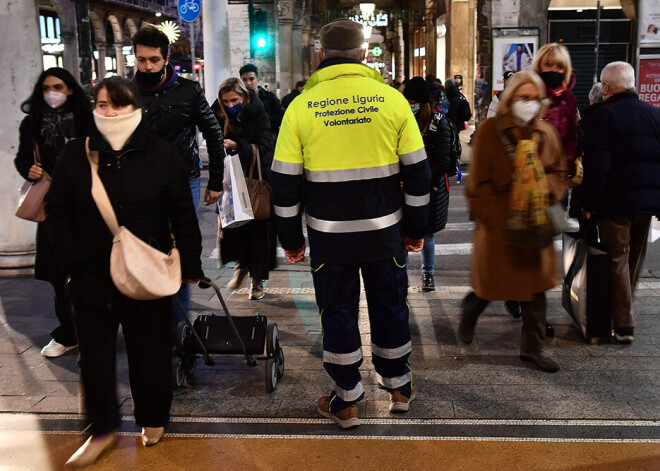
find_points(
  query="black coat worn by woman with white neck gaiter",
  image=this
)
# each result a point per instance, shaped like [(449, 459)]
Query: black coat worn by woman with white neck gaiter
[(149, 191)]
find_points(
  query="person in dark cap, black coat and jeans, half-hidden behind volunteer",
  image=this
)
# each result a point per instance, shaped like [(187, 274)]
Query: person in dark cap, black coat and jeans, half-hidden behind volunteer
[(437, 134)]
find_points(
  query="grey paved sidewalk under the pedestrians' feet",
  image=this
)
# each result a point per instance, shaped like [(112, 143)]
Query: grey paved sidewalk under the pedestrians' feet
[(485, 380)]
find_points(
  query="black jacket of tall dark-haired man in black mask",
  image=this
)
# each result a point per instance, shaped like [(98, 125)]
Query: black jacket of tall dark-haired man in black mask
[(175, 111)]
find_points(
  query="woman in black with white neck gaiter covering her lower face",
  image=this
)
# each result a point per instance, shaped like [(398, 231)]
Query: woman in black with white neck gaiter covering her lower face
[(148, 188)]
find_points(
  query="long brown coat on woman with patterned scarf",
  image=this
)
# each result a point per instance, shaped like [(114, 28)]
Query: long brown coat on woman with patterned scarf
[(500, 271)]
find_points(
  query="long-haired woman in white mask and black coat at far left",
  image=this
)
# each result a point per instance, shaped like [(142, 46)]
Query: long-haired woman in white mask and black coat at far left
[(58, 110)]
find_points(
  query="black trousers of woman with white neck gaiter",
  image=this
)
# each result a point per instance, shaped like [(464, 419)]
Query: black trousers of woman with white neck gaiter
[(147, 332)]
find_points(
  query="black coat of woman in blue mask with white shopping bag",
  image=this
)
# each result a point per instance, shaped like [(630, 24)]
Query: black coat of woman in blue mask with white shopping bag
[(253, 245)]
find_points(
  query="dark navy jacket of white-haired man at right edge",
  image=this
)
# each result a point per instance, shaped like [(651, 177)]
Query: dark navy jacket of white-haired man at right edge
[(622, 158)]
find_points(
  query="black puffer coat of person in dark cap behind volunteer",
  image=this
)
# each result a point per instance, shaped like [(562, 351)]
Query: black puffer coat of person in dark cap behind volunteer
[(437, 140)]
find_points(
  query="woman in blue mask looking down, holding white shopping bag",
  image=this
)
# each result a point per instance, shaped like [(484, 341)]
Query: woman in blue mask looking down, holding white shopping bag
[(245, 123)]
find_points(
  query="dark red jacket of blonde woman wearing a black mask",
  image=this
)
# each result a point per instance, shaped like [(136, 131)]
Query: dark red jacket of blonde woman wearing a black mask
[(562, 114)]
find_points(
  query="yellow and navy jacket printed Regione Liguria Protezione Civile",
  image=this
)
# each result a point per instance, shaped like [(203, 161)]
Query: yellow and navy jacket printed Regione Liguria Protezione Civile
[(350, 152)]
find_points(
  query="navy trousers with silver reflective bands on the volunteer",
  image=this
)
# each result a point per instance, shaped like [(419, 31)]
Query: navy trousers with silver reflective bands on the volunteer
[(337, 289)]
